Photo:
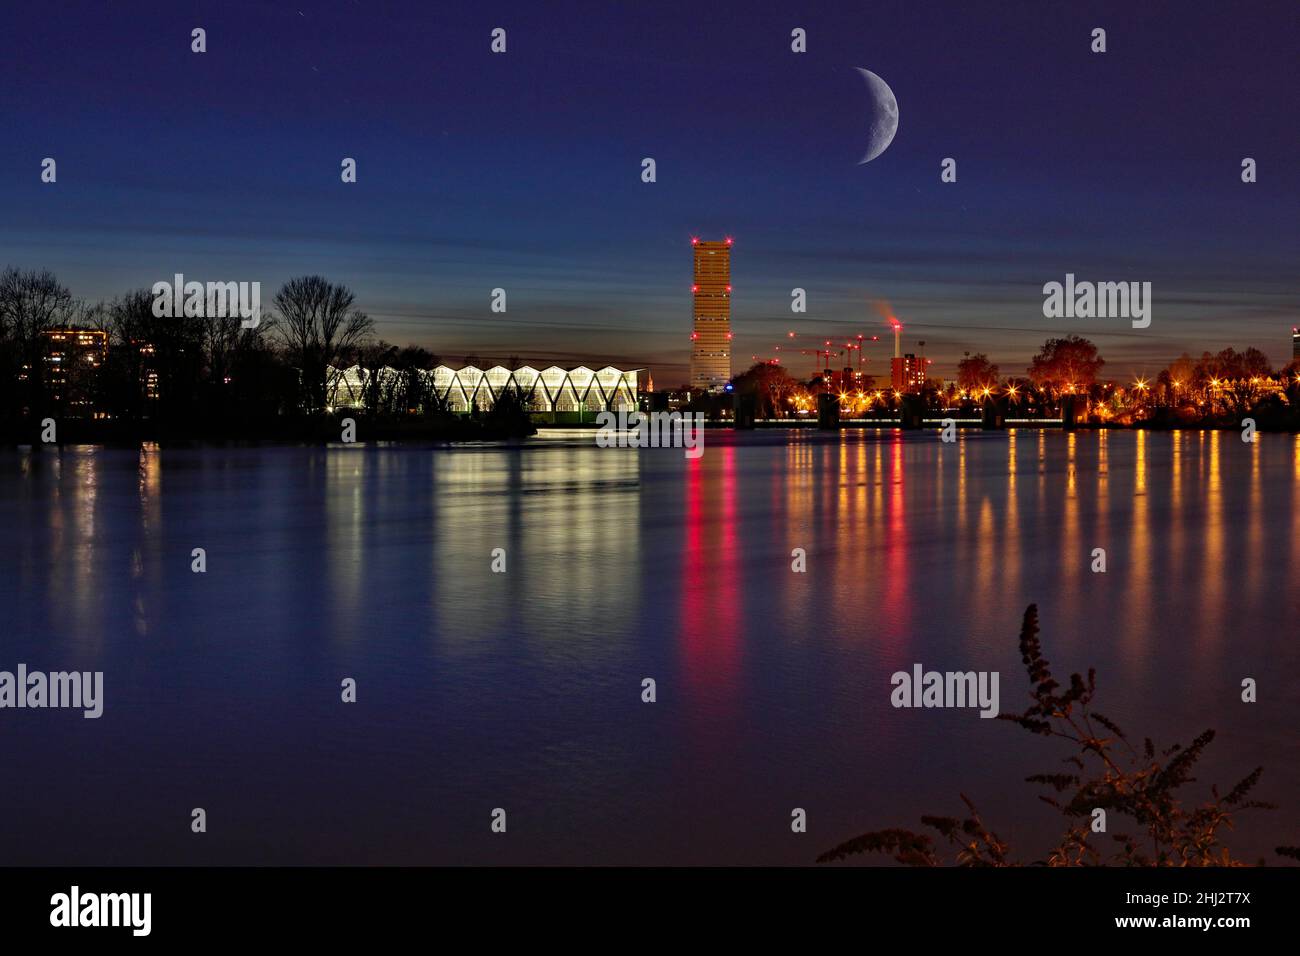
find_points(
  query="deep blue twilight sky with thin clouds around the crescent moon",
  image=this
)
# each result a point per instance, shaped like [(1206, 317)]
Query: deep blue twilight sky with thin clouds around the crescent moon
[(523, 171)]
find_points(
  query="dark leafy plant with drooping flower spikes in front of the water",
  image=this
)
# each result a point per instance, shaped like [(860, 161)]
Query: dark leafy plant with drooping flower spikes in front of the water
[(1106, 773)]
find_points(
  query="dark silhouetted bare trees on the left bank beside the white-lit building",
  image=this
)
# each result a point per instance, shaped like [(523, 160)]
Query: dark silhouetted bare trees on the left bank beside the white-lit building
[(198, 375)]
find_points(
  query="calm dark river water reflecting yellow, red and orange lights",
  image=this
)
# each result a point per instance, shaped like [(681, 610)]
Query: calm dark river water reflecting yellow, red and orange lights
[(523, 690)]
